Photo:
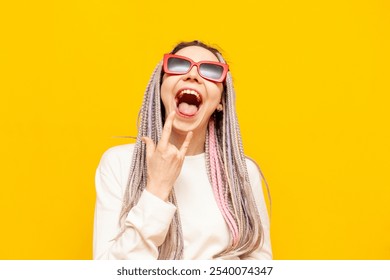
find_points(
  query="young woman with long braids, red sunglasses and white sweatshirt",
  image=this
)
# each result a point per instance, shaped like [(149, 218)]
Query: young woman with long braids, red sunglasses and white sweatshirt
[(184, 190)]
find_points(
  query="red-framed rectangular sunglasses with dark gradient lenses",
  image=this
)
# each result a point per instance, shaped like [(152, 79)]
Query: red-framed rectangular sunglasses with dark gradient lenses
[(209, 70)]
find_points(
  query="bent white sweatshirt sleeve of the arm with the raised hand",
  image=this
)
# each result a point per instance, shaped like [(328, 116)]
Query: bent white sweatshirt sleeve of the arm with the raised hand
[(147, 223)]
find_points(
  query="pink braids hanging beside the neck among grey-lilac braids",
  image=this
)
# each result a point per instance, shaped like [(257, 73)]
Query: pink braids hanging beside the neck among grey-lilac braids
[(217, 183)]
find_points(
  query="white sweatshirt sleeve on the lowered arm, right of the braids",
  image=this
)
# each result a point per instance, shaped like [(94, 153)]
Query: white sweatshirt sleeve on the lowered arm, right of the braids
[(264, 252)]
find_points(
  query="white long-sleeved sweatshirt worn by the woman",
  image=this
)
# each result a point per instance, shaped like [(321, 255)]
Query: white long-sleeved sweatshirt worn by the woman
[(205, 232)]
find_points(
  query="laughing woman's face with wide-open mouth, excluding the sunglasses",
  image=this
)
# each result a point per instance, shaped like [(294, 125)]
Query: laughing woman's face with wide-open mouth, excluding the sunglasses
[(193, 98)]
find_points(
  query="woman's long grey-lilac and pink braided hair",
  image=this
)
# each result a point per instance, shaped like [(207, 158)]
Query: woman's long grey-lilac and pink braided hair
[(226, 167)]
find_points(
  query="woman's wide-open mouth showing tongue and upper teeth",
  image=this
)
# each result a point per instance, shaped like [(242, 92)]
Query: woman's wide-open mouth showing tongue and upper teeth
[(188, 102)]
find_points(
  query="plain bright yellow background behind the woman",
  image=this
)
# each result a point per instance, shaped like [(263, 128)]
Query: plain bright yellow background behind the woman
[(312, 82)]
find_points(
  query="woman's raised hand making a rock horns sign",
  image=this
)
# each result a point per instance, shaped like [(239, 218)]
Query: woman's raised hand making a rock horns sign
[(164, 161)]
